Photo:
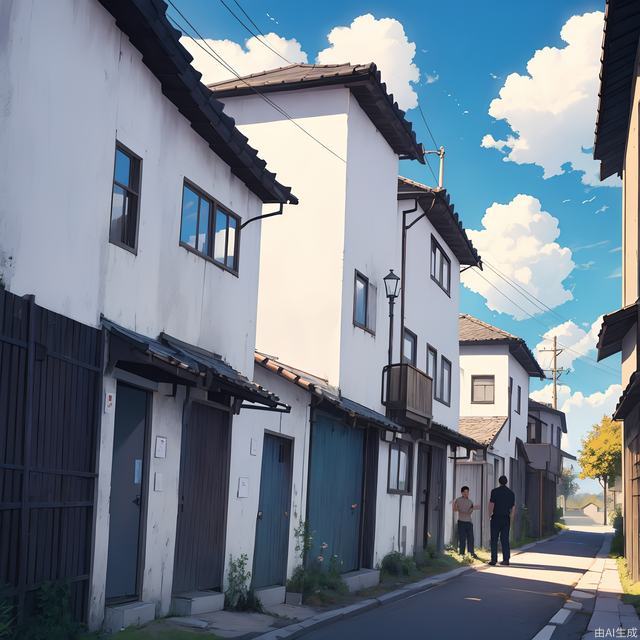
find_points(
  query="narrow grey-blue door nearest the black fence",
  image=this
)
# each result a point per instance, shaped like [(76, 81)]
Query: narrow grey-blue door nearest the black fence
[(127, 493)]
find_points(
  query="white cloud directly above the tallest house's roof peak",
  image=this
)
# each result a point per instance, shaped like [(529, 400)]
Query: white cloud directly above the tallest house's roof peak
[(384, 42)]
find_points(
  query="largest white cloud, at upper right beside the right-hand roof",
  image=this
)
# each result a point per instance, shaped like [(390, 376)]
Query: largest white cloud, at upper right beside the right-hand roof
[(551, 109)]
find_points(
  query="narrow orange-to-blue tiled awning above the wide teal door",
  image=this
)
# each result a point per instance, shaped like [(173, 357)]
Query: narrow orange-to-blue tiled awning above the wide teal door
[(322, 390)]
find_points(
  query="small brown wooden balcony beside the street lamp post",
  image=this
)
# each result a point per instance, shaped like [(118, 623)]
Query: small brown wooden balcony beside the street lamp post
[(407, 393)]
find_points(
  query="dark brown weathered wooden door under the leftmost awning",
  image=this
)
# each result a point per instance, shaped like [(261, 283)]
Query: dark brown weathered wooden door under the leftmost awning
[(204, 484)]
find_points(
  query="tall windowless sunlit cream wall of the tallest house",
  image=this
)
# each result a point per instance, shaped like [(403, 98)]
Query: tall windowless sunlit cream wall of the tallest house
[(301, 268)]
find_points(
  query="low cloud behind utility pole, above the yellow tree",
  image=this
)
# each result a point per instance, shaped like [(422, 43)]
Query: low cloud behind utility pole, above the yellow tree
[(582, 410)]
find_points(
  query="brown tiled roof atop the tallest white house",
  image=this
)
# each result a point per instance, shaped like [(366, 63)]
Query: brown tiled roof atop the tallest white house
[(365, 84)]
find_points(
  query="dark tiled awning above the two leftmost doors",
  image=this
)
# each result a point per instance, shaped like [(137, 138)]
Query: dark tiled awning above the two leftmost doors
[(167, 359)]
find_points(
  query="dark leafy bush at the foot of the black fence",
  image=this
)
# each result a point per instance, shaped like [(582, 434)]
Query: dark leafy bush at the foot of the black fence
[(53, 618)]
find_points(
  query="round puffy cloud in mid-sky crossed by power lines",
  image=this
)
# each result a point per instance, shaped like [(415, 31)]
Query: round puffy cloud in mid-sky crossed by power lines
[(518, 239)]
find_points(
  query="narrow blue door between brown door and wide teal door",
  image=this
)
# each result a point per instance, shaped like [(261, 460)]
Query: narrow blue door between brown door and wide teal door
[(272, 526)]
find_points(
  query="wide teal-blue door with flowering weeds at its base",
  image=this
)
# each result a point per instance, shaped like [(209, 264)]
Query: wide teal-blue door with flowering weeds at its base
[(335, 491)]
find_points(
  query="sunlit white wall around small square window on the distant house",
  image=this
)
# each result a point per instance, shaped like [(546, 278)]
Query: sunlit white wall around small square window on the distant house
[(484, 360)]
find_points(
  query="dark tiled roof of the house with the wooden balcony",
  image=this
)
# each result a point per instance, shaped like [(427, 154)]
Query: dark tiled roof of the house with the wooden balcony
[(441, 213)]
